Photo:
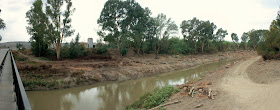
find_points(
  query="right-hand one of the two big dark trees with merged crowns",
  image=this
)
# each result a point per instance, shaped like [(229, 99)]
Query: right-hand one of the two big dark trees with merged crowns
[(135, 23)]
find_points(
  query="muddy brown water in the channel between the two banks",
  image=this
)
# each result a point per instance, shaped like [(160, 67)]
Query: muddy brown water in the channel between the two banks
[(114, 95)]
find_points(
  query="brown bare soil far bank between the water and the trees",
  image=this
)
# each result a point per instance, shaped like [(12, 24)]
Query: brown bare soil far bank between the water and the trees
[(43, 75)]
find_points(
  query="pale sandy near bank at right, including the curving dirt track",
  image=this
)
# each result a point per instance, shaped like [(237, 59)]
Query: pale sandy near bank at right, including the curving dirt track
[(249, 84)]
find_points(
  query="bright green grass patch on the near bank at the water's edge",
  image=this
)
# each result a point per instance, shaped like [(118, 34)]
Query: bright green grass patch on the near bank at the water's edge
[(154, 99)]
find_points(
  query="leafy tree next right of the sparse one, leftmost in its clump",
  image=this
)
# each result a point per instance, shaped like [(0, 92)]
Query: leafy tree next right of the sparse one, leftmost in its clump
[(190, 32)]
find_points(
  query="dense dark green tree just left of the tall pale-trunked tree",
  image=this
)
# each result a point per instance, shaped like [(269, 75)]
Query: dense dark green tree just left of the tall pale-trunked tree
[(37, 21)]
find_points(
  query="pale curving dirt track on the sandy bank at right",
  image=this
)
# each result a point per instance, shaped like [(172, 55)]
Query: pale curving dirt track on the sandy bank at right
[(249, 95)]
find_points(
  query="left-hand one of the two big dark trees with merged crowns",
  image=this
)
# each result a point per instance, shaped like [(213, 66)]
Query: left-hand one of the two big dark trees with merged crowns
[(111, 19)]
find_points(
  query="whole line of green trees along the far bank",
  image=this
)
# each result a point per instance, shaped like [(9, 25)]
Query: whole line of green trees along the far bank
[(126, 25)]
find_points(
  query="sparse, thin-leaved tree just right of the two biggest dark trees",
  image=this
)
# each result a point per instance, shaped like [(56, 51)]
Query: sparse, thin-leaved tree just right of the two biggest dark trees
[(164, 29)]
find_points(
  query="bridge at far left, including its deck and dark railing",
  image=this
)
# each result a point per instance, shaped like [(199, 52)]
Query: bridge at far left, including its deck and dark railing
[(12, 93)]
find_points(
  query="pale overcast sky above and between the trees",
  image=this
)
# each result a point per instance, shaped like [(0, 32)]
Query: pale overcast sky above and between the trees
[(236, 16)]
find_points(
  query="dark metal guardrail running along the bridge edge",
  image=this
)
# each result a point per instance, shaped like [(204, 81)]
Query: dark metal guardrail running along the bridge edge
[(21, 97)]
